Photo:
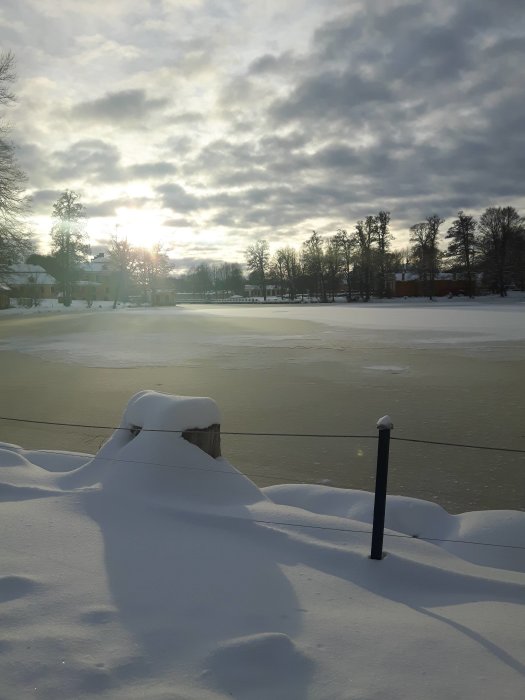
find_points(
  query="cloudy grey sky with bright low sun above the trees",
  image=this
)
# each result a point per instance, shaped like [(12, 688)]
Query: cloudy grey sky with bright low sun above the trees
[(208, 124)]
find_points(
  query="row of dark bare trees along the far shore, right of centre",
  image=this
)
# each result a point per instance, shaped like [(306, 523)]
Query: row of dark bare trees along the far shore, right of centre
[(488, 252)]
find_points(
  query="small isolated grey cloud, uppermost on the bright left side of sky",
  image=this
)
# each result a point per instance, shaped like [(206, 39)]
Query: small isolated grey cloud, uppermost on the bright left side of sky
[(123, 107)]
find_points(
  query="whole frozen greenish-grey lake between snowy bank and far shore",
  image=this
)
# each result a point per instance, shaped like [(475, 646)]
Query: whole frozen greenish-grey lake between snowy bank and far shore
[(448, 371)]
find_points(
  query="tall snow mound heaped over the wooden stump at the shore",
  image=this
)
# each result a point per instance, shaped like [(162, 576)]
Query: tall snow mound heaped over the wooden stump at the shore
[(148, 457)]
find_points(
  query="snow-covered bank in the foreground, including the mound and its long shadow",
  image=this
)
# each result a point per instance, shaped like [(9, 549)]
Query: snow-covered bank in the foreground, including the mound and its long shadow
[(154, 571)]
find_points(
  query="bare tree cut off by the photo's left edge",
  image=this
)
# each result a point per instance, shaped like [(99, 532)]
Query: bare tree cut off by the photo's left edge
[(15, 241)]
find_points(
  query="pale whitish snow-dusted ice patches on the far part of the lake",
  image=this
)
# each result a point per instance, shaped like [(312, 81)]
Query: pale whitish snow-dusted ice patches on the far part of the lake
[(409, 325)]
